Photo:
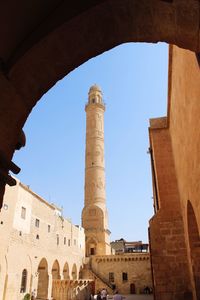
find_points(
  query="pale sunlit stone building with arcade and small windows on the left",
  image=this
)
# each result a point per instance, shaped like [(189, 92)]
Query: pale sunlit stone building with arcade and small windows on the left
[(38, 247)]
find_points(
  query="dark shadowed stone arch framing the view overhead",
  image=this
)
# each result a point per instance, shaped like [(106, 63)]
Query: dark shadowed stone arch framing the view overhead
[(56, 43)]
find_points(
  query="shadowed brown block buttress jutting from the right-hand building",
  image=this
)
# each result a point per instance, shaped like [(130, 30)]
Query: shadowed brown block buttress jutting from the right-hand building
[(167, 241)]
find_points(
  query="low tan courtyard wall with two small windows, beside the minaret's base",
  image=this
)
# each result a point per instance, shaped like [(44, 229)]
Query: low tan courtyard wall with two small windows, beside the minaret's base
[(136, 266)]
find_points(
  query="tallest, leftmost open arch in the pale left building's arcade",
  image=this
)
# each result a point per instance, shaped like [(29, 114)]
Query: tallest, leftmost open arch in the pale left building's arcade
[(43, 279)]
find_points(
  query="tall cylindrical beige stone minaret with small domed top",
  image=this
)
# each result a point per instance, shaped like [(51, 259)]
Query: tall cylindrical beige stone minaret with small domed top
[(94, 214)]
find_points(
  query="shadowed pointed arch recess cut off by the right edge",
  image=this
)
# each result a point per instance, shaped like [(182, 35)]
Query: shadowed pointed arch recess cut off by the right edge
[(194, 242)]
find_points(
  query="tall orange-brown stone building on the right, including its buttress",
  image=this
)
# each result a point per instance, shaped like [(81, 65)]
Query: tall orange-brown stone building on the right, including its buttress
[(175, 156)]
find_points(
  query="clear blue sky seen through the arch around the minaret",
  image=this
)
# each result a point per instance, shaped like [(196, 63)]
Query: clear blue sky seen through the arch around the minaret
[(133, 78)]
